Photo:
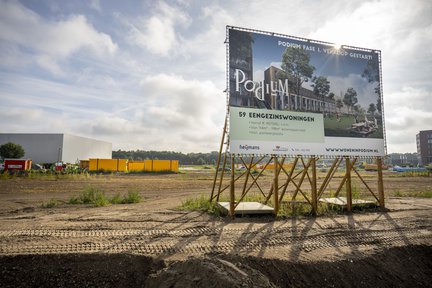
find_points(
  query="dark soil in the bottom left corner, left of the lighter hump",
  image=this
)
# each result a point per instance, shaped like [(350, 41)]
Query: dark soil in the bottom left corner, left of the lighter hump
[(75, 270)]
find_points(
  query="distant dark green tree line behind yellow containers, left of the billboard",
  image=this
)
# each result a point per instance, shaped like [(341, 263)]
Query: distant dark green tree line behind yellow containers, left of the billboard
[(184, 159)]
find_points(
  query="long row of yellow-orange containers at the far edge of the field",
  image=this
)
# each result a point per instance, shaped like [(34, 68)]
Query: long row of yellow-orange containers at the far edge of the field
[(124, 165)]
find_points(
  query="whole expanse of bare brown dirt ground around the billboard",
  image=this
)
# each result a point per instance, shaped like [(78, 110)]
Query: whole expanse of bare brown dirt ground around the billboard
[(154, 244)]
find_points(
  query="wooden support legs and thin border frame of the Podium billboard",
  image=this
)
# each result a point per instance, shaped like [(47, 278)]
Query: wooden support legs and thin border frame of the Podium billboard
[(228, 161)]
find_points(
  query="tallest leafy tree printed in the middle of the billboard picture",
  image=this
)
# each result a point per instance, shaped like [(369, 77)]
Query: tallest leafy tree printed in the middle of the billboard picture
[(295, 63)]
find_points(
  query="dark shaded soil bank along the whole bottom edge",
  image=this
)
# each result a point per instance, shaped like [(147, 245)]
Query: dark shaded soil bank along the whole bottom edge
[(409, 266)]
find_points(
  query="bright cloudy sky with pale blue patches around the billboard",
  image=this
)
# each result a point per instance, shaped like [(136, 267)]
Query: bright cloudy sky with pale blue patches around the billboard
[(151, 74)]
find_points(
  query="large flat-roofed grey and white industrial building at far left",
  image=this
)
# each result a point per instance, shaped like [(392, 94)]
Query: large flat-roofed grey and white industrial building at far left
[(50, 148)]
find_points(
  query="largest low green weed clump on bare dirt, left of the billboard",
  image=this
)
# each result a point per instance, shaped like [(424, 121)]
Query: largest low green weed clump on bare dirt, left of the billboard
[(92, 195)]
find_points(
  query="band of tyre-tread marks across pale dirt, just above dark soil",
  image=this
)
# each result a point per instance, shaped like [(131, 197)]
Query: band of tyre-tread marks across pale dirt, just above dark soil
[(197, 240)]
